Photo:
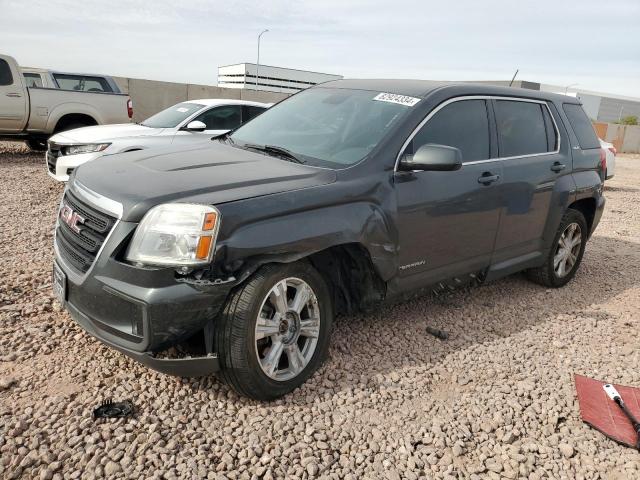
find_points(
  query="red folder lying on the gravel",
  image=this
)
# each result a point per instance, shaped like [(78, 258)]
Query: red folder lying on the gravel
[(603, 414)]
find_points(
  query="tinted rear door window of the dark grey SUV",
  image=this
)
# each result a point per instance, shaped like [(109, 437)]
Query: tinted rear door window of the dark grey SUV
[(522, 129)]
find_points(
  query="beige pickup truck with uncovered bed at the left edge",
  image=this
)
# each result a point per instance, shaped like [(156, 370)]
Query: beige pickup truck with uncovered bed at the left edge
[(34, 114)]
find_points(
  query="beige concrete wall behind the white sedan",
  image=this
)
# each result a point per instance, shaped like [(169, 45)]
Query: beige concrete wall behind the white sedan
[(151, 96)]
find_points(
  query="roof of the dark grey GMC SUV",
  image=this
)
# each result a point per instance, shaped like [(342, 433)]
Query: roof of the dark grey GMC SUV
[(423, 88)]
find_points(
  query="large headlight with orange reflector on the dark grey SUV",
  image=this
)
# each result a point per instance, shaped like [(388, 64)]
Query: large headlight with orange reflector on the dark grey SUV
[(176, 234)]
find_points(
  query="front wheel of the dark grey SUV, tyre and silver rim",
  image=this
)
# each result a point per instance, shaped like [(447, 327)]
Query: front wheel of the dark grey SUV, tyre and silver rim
[(273, 332)]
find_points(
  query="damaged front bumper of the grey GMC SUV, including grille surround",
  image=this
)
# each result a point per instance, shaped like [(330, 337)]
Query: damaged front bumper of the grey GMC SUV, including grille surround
[(142, 311)]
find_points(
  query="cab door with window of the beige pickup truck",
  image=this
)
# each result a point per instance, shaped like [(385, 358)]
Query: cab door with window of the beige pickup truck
[(13, 97)]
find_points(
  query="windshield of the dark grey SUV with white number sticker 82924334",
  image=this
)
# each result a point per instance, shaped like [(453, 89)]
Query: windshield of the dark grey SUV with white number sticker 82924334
[(326, 127)]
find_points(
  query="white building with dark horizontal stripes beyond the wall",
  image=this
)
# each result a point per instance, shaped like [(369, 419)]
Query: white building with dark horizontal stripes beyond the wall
[(266, 77)]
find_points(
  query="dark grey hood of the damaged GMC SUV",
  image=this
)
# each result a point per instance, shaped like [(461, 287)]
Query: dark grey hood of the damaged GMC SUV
[(213, 174)]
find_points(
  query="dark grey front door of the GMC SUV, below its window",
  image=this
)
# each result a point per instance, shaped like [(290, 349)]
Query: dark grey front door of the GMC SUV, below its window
[(447, 221)]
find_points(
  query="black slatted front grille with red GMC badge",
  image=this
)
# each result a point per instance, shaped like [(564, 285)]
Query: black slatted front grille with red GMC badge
[(79, 249)]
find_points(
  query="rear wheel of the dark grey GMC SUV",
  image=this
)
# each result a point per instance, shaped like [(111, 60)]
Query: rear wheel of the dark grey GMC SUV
[(566, 254)]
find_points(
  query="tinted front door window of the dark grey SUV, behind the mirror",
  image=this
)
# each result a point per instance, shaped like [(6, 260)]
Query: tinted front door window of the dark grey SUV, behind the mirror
[(463, 124)]
